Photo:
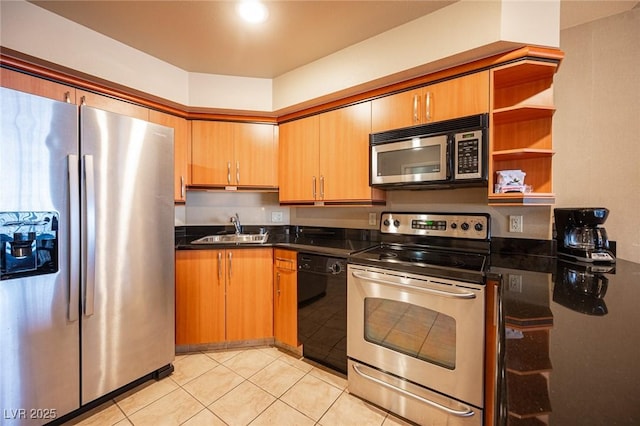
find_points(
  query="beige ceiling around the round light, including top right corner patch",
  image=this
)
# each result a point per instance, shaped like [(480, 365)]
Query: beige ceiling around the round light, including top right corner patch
[(208, 37)]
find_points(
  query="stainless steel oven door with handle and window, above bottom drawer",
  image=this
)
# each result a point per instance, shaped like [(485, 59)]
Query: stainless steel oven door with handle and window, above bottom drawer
[(427, 331)]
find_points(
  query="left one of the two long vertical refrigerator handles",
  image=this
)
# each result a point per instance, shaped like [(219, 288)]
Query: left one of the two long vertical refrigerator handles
[(74, 238)]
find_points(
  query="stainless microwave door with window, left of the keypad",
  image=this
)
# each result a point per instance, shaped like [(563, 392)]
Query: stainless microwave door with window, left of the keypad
[(413, 160)]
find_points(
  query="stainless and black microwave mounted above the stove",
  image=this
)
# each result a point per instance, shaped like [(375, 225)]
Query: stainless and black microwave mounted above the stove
[(440, 155)]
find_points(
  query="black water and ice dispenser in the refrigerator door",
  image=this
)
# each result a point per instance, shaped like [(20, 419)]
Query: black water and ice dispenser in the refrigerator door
[(29, 243)]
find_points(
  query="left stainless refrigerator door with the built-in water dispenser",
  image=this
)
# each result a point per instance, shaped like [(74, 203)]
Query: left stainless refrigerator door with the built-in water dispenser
[(39, 327)]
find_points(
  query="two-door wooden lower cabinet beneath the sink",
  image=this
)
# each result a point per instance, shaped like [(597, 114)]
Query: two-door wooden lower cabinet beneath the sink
[(223, 295)]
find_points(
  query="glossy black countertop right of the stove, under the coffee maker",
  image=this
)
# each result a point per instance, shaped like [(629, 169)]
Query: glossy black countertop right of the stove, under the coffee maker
[(572, 347)]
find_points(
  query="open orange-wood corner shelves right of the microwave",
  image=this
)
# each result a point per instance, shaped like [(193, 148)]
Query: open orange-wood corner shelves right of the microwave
[(522, 109)]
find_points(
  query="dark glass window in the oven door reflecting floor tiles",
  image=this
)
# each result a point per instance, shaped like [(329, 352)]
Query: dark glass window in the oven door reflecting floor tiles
[(412, 330)]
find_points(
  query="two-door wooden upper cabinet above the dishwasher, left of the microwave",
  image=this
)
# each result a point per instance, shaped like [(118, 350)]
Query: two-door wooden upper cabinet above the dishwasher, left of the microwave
[(325, 158)]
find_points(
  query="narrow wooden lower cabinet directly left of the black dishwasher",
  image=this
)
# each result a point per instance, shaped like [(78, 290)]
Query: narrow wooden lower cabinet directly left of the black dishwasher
[(285, 297)]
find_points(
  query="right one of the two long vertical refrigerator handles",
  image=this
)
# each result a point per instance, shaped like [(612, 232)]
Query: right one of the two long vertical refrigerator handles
[(90, 235)]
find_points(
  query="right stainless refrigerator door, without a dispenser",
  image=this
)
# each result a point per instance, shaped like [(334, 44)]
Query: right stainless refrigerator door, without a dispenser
[(127, 302)]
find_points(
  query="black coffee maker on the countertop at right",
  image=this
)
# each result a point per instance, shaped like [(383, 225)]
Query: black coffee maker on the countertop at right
[(580, 236)]
